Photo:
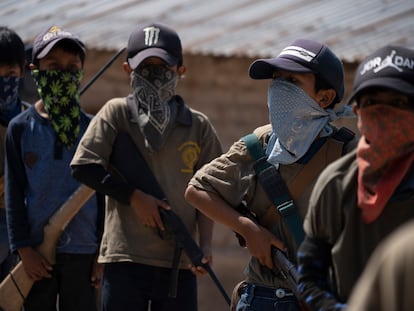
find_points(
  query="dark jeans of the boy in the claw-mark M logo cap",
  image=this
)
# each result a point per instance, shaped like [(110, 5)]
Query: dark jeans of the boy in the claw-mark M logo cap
[(134, 287)]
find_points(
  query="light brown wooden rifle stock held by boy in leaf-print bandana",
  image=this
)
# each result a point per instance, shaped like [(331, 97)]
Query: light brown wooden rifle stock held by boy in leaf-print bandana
[(17, 285)]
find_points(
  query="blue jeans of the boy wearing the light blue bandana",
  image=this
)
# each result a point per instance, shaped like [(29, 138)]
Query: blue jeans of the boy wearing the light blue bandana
[(257, 298)]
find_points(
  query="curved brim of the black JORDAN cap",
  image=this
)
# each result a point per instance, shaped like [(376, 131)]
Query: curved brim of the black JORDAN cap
[(394, 84)]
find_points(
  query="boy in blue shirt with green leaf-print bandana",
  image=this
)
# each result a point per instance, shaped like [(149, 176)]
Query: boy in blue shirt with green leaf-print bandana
[(40, 144)]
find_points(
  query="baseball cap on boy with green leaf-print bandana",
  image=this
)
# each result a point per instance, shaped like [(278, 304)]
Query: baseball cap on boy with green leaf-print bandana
[(48, 39)]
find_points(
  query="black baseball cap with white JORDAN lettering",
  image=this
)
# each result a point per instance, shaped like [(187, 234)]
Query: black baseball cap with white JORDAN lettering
[(390, 67)]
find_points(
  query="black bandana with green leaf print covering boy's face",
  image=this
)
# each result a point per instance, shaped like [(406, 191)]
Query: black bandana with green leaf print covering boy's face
[(59, 91)]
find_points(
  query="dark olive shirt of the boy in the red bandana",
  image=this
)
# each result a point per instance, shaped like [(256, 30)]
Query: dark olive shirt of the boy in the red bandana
[(334, 218)]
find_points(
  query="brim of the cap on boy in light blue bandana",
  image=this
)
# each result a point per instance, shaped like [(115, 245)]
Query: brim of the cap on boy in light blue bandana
[(264, 68)]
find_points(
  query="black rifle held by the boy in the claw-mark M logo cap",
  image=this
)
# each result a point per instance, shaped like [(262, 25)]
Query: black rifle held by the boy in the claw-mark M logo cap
[(128, 163)]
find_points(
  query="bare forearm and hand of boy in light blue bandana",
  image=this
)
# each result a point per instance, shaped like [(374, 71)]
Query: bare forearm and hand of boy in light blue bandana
[(258, 239)]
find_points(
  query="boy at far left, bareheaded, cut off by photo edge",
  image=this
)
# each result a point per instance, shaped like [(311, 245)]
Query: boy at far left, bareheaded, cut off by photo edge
[(12, 62)]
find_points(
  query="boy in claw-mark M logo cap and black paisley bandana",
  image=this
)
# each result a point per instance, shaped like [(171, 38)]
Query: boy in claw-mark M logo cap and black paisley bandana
[(175, 141)]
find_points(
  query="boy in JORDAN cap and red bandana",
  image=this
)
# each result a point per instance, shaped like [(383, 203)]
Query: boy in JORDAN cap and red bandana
[(366, 195)]
